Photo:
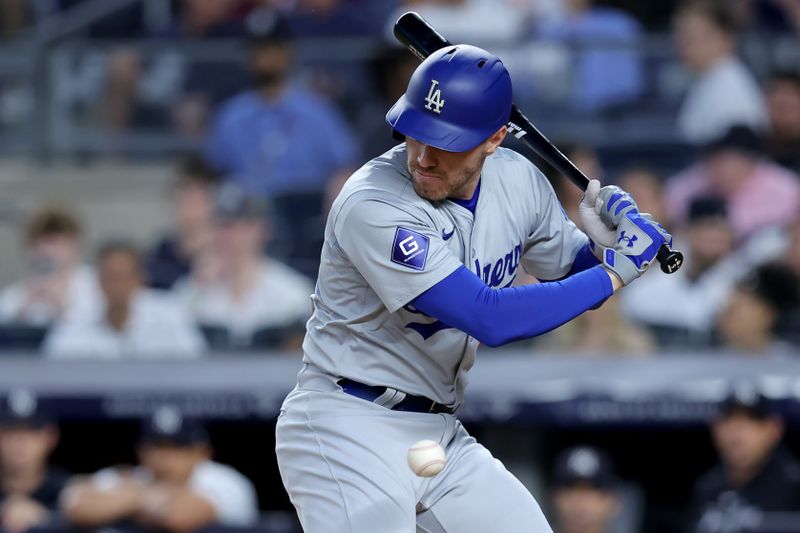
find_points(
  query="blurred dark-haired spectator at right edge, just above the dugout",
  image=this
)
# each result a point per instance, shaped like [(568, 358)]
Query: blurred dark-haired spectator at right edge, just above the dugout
[(752, 317)]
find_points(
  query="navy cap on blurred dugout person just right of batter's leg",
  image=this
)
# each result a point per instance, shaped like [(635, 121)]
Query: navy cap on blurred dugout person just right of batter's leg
[(584, 465)]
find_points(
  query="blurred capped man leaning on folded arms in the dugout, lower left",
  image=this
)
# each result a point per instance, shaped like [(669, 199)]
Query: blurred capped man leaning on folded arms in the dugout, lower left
[(176, 487)]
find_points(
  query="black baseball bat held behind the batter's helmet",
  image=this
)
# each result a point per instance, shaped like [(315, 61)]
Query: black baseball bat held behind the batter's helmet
[(419, 37)]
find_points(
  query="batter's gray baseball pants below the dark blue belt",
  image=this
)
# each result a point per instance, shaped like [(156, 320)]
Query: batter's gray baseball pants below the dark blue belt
[(343, 461)]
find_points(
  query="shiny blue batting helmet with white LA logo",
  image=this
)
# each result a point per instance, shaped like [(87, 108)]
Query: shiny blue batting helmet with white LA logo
[(456, 99)]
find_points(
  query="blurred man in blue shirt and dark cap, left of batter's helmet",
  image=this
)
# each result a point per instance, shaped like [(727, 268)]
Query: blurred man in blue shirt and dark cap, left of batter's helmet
[(279, 138)]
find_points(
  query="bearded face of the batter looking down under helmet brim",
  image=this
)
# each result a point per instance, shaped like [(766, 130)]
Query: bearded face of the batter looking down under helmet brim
[(438, 174)]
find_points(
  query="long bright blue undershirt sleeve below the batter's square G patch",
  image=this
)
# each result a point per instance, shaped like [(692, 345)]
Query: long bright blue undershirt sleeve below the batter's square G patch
[(499, 316)]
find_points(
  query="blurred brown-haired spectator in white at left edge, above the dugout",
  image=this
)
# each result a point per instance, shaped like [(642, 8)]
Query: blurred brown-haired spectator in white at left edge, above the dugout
[(57, 285)]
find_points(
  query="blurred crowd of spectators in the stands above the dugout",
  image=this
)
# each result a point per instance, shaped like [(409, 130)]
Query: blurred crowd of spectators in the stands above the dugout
[(236, 271)]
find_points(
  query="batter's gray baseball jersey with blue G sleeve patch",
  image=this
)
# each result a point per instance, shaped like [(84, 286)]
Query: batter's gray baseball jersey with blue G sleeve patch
[(384, 246)]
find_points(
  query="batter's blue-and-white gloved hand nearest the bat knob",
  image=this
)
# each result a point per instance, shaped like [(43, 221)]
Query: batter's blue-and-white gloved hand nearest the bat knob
[(638, 240)]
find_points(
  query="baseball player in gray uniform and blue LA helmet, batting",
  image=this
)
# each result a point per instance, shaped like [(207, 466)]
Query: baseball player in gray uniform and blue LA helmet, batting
[(421, 248)]
